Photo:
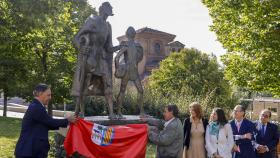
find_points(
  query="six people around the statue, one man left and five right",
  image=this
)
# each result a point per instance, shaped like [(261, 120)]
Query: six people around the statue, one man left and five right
[(197, 137)]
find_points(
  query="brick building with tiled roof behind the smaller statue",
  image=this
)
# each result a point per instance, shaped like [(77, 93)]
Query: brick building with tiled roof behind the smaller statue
[(157, 45)]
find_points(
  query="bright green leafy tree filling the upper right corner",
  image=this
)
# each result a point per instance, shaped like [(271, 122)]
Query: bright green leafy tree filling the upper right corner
[(250, 31)]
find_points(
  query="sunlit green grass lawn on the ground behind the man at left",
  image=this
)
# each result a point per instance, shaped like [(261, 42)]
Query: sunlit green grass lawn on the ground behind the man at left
[(9, 133)]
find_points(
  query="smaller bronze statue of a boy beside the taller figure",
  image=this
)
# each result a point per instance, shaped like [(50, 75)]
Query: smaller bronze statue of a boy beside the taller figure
[(127, 69)]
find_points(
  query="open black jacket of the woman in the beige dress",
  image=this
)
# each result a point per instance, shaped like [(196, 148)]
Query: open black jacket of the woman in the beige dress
[(187, 129)]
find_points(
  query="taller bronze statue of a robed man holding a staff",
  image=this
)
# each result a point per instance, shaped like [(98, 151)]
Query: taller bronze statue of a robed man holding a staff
[(93, 75)]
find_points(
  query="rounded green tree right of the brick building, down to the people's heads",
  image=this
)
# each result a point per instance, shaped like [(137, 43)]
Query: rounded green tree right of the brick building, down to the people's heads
[(191, 73)]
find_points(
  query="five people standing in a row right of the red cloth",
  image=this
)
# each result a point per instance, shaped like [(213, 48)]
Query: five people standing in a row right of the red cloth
[(217, 137)]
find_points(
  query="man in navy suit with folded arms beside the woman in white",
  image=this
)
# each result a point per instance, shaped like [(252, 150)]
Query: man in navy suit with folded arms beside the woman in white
[(243, 131)]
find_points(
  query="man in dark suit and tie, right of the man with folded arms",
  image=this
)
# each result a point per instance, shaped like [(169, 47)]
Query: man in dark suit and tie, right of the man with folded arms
[(266, 136)]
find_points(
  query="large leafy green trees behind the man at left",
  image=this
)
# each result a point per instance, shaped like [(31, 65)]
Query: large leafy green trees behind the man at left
[(43, 31)]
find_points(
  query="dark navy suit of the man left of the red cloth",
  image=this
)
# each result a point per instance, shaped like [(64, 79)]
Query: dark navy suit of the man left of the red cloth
[(33, 140)]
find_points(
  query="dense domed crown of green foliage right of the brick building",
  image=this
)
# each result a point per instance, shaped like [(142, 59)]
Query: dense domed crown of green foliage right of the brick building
[(190, 70)]
